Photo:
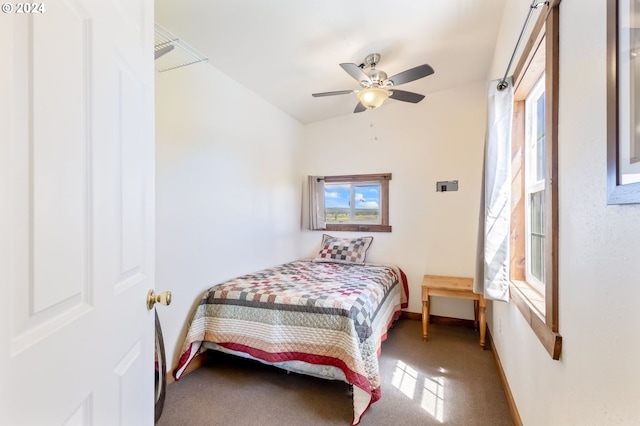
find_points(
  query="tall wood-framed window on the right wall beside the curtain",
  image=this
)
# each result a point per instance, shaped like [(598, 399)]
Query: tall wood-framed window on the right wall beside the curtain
[(534, 215)]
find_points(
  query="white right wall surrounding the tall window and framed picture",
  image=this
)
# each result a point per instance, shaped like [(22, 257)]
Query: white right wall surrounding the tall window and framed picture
[(595, 382)]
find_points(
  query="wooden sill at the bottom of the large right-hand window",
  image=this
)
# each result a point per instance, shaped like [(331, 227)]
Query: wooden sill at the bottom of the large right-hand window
[(531, 305)]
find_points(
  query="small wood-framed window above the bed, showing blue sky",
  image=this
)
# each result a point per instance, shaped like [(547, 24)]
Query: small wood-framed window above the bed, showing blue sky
[(357, 203)]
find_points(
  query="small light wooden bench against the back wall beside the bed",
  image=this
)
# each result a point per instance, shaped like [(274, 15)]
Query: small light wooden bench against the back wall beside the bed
[(457, 287)]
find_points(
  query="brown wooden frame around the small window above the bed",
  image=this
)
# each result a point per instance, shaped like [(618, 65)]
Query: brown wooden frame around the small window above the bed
[(379, 178)]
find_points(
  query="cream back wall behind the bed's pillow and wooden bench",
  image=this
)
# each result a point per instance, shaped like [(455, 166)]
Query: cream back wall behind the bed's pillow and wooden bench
[(441, 138)]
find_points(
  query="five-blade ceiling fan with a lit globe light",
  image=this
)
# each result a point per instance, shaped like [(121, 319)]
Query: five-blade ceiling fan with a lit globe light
[(376, 87)]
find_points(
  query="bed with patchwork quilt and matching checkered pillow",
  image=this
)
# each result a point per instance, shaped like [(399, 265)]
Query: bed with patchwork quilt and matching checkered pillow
[(325, 317)]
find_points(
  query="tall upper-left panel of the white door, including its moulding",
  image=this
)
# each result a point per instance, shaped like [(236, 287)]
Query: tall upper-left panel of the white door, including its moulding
[(50, 201)]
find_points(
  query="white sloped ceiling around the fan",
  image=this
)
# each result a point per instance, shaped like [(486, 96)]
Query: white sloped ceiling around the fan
[(285, 50)]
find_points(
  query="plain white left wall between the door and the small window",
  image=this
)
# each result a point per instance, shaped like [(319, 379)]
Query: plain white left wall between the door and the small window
[(228, 192)]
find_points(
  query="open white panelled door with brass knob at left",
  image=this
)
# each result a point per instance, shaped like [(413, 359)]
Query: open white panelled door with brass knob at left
[(76, 212)]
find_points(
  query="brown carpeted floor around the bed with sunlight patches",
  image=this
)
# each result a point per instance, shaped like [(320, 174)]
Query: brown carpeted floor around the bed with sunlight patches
[(448, 380)]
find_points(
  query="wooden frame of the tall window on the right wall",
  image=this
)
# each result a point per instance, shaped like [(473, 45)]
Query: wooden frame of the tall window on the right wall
[(540, 56)]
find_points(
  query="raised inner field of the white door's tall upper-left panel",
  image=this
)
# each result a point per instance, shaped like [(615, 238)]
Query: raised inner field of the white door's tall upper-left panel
[(58, 171)]
